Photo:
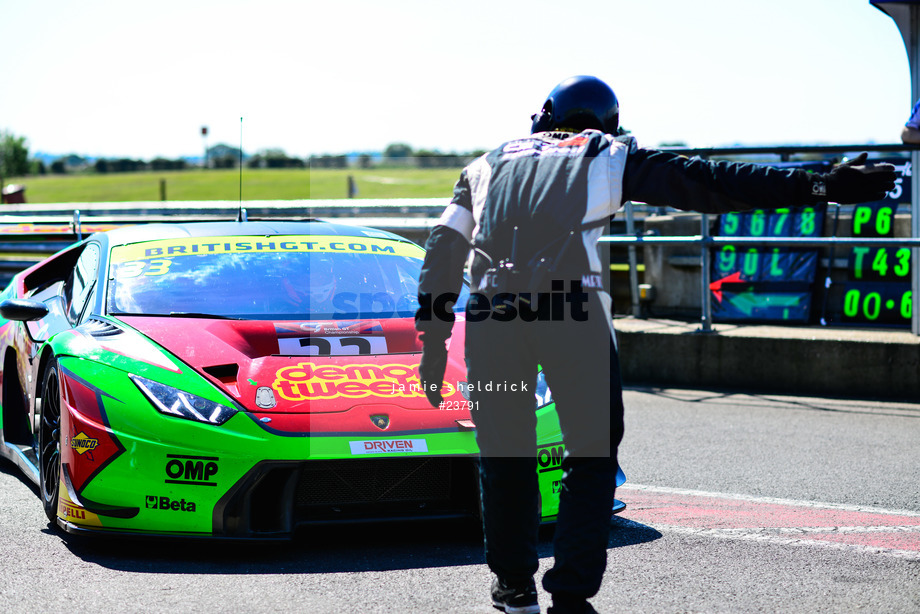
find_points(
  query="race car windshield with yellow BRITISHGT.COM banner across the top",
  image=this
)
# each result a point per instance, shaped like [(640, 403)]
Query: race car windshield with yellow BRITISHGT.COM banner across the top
[(278, 277)]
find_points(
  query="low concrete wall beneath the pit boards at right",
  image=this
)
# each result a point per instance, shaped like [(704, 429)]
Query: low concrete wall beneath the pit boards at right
[(870, 364)]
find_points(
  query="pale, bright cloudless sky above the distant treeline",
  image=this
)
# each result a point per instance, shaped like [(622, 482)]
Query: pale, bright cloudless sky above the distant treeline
[(118, 78)]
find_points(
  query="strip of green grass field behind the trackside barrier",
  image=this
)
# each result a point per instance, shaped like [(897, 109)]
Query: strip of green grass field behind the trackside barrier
[(258, 184)]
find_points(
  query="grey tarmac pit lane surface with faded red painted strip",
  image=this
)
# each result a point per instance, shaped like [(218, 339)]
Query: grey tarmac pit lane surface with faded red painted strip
[(735, 503)]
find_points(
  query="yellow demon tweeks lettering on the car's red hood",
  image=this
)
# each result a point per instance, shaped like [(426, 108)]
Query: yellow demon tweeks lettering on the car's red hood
[(307, 381)]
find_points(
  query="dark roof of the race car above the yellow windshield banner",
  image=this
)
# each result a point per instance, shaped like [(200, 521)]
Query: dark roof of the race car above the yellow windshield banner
[(152, 232)]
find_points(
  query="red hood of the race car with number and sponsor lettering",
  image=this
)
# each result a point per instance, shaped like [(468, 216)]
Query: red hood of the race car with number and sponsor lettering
[(321, 368)]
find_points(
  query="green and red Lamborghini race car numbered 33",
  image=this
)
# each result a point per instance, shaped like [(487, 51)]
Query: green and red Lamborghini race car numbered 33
[(237, 379)]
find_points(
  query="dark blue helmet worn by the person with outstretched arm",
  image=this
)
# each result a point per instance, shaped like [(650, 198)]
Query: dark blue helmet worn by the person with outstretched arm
[(579, 103)]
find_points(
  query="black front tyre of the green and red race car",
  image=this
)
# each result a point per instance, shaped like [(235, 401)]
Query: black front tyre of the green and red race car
[(49, 441)]
